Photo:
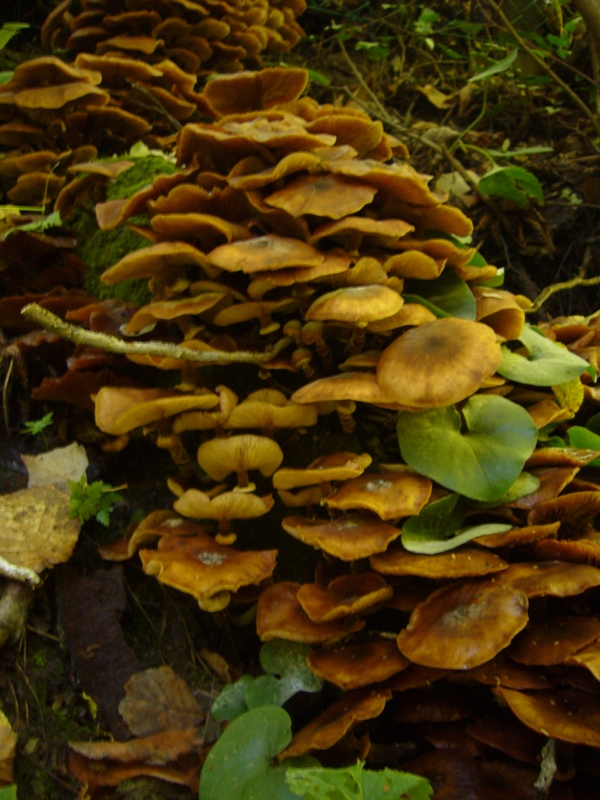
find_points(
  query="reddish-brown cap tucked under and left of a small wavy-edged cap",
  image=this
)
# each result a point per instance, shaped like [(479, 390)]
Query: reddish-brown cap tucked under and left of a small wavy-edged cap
[(280, 616)]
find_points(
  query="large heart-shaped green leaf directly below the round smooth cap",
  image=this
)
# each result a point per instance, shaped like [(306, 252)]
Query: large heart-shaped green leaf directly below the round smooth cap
[(481, 463)]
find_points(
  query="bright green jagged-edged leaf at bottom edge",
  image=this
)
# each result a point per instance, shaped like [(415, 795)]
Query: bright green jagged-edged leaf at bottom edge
[(356, 783)]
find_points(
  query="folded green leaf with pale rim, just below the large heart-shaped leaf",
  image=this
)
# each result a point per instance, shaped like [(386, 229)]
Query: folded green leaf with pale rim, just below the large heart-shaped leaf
[(436, 528)]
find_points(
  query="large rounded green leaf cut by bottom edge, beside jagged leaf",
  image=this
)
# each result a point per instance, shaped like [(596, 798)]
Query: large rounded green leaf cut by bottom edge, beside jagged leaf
[(239, 765)]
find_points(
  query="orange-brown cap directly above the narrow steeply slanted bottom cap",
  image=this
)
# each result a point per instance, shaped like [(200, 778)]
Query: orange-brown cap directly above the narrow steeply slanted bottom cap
[(356, 665)]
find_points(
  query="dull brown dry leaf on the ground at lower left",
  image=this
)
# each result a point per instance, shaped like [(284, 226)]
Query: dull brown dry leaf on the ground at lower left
[(159, 700)]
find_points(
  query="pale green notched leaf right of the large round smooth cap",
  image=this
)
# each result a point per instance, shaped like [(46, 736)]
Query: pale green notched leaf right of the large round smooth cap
[(547, 364)]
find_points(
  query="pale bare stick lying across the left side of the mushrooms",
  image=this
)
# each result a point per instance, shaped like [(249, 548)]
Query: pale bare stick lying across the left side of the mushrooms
[(112, 344)]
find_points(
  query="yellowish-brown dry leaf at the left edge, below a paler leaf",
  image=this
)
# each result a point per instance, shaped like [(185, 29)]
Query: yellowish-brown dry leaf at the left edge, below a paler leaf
[(35, 529)]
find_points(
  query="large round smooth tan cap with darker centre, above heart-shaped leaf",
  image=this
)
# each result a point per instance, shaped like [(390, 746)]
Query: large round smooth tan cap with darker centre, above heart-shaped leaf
[(438, 363)]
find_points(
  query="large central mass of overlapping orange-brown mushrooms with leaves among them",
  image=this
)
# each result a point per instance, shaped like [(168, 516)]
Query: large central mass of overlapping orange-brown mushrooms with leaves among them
[(456, 586)]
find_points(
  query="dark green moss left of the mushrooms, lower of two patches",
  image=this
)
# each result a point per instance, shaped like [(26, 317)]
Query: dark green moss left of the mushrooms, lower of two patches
[(101, 250)]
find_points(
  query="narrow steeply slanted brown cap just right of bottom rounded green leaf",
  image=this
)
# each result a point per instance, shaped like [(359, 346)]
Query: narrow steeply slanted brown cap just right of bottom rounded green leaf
[(338, 719)]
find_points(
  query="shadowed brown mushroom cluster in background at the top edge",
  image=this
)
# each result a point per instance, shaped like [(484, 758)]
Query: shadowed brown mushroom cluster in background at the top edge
[(210, 36)]
